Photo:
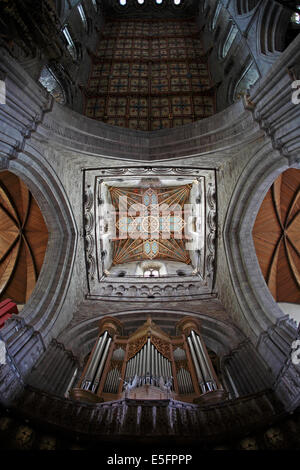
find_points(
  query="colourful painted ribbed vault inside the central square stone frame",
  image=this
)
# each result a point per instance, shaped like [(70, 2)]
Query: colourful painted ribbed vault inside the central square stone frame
[(151, 224)]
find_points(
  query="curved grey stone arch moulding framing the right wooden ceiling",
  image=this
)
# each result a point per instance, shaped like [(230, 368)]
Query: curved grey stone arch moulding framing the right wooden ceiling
[(258, 310)]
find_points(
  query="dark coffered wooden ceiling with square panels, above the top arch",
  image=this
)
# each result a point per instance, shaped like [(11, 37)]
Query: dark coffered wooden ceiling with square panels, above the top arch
[(149, 75)]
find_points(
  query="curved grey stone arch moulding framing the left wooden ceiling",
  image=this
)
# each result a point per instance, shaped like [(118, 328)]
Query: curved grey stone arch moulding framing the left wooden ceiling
[(46, 301)]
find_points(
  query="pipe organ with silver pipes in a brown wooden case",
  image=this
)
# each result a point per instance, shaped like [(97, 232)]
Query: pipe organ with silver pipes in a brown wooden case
[(149, 364)]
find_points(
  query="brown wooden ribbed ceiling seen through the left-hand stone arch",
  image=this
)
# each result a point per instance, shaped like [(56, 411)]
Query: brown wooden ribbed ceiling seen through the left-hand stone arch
[(23, 239)]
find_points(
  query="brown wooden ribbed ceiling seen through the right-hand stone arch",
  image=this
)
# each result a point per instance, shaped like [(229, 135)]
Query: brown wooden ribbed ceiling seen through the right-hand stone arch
[(276, 235)]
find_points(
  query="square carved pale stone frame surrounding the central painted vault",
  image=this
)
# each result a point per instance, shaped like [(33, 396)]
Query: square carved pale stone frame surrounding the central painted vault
[(102, 285)]
